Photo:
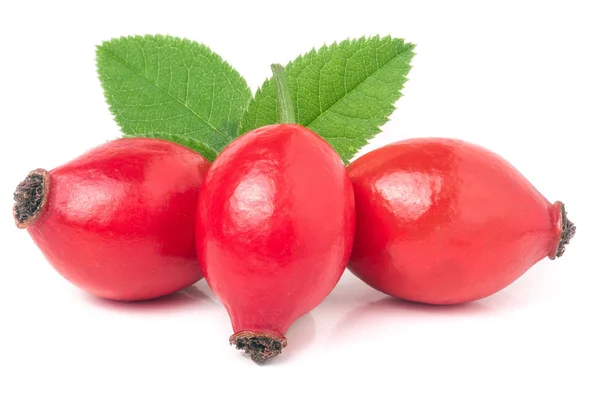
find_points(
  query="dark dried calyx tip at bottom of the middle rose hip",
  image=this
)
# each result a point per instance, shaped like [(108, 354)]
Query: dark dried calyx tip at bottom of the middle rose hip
[(259, 346)]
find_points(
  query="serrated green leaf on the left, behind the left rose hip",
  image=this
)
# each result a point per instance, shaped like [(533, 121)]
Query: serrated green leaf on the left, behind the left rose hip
[(174, 89)]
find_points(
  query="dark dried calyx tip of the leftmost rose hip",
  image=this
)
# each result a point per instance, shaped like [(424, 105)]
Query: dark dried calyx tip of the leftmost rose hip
[(30, 197)]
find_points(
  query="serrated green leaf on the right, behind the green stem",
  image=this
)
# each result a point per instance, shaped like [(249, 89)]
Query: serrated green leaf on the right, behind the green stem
[(343, 92)]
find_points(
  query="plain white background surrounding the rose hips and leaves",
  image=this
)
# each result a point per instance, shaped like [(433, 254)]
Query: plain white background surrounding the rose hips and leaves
[(519, 77)]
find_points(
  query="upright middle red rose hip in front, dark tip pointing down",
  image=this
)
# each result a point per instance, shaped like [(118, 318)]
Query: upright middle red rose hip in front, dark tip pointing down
[(275, 229)]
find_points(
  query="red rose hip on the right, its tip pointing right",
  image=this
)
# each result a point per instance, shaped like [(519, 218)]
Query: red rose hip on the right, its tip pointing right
[(442, 221)]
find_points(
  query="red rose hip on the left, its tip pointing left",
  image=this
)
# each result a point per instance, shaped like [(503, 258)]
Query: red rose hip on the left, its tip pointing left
[(118, 221)]
